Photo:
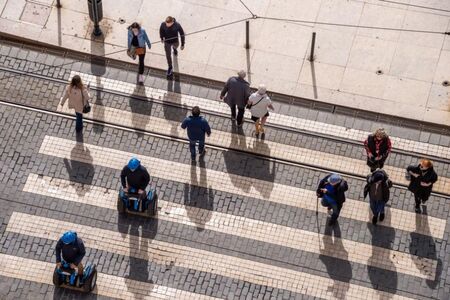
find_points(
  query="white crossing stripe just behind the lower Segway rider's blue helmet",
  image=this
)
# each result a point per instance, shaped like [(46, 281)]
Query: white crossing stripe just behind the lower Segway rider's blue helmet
[(185, 257)]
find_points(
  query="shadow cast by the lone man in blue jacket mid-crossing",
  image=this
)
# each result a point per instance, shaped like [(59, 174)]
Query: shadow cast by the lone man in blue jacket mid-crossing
[(196, 197)]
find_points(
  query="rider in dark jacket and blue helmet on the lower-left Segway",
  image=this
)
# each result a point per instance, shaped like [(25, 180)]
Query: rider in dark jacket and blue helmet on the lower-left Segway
[(71, 248)]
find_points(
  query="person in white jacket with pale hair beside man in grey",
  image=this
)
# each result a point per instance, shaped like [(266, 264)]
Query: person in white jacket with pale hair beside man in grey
[(259, 104)]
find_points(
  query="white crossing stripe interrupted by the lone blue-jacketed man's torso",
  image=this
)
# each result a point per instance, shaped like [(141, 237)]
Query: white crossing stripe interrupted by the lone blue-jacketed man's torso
[(236, 141)]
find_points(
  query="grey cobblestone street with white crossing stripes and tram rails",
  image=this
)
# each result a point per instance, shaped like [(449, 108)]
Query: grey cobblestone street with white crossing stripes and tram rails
[(236, 225)]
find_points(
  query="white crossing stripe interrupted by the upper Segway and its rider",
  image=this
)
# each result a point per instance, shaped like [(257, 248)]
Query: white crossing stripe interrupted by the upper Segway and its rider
[(244, 227)]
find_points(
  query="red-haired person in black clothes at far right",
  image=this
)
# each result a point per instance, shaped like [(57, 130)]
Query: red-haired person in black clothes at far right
[(422, 179)]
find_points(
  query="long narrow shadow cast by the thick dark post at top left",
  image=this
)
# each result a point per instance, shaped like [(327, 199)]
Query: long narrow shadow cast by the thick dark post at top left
[(98, 68)]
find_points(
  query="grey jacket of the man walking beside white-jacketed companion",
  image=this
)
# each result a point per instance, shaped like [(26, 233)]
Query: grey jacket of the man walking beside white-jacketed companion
[(236, 92)]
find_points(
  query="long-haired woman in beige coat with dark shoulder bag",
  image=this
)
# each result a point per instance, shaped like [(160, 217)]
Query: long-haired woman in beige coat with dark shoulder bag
[(78, 96)]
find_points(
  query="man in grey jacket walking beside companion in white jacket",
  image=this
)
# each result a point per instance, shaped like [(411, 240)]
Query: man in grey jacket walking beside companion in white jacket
[(235, 93)]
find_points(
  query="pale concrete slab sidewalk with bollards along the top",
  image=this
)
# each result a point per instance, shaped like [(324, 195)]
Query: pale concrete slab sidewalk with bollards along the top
[(413, 65)]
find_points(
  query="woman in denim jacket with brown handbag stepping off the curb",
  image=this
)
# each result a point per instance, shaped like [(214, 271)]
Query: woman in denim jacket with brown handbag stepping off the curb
[(137, 38)]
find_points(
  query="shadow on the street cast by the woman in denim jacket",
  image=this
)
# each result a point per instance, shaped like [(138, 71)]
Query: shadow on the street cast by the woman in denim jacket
[(139, 108)]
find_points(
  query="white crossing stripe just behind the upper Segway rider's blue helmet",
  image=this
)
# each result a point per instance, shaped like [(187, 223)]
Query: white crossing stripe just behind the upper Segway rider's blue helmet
[(240, 185)]
